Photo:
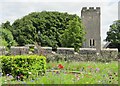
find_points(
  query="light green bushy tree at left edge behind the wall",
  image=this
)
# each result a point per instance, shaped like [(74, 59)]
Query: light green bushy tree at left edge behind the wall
[(6, 38)]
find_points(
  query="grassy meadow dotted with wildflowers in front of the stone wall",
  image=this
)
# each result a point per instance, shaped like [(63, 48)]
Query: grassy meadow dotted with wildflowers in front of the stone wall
[(74, 73)]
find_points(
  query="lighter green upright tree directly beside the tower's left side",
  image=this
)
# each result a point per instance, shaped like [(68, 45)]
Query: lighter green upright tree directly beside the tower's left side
[(73, 35)]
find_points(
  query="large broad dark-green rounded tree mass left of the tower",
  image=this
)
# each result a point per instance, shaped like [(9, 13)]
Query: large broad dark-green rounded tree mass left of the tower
[(45, 28)]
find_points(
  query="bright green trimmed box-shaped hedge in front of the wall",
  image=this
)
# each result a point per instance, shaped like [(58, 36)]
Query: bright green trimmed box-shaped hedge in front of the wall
[(23, 66)]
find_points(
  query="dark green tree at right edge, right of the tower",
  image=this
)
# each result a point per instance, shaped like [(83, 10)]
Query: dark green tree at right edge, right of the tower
[(113, 35)]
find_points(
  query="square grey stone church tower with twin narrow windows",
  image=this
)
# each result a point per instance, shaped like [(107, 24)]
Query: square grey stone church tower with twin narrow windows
[(91, 20)]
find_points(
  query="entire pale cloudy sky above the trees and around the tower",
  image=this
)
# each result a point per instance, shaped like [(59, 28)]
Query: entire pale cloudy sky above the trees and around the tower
[(14, 9)]
